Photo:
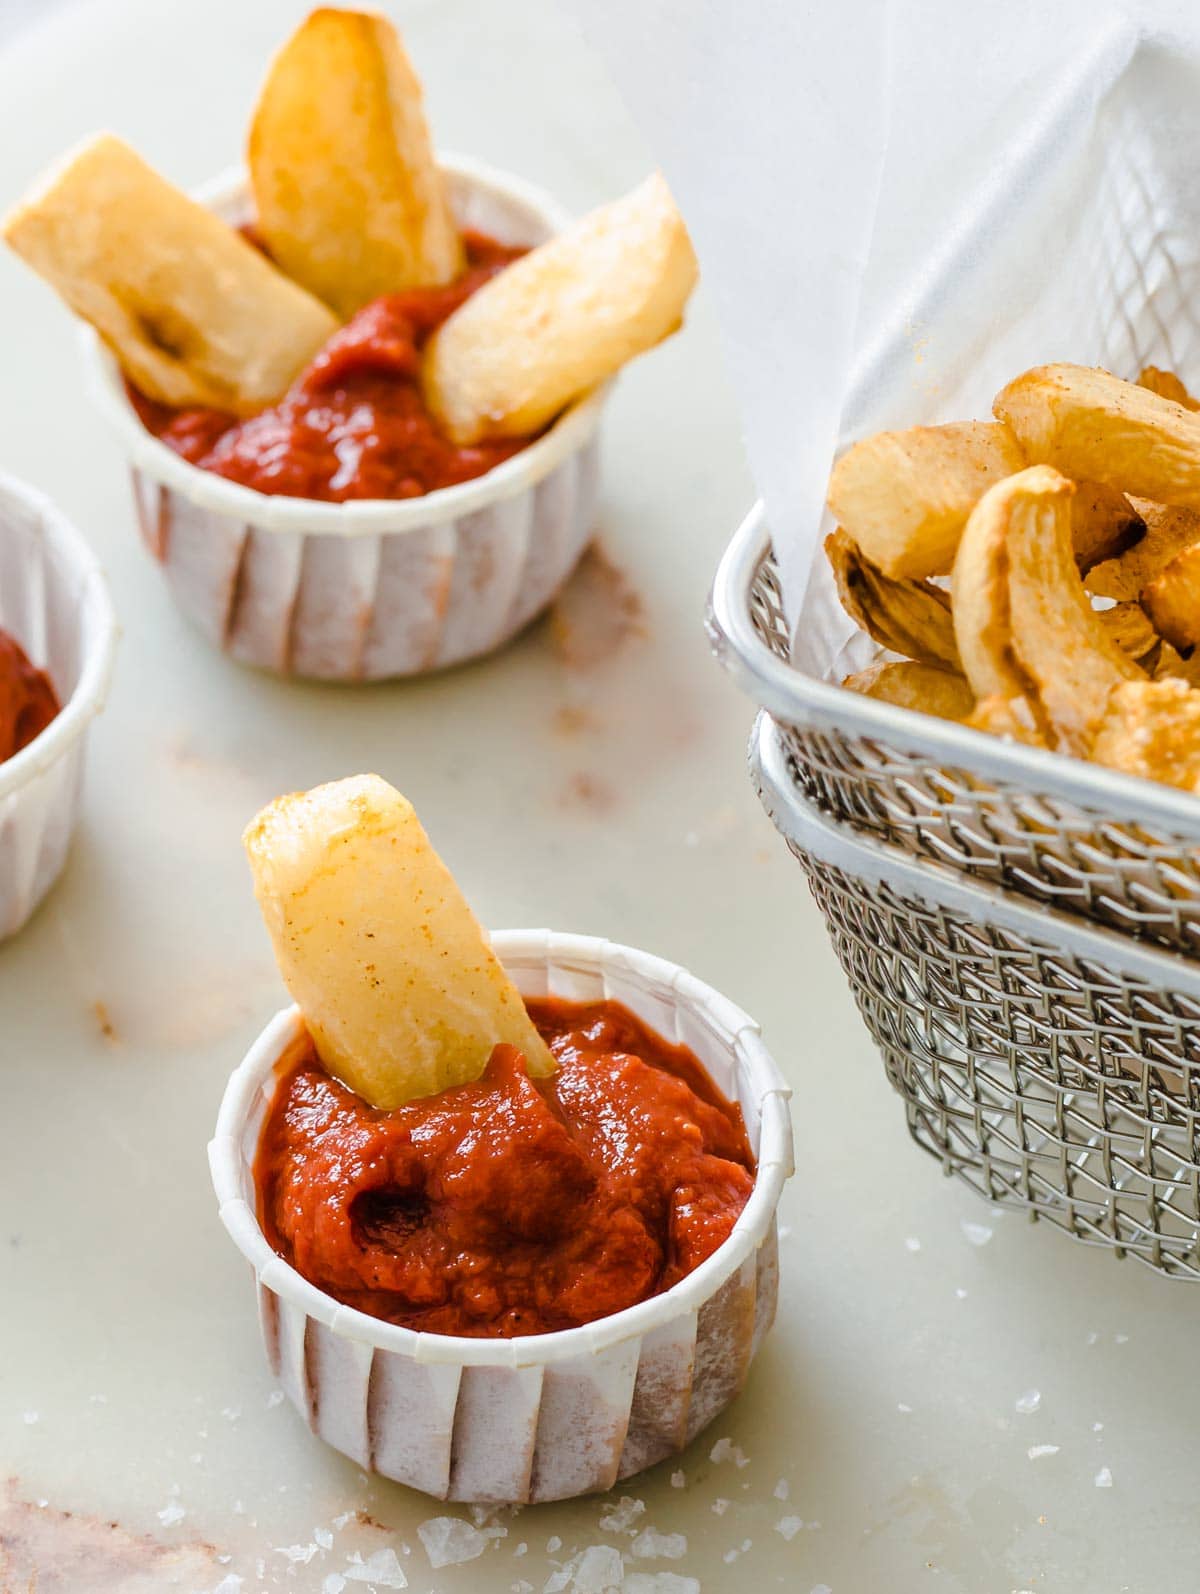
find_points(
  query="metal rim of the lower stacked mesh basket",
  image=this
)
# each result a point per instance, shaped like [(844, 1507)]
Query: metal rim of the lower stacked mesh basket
[(839, 846)]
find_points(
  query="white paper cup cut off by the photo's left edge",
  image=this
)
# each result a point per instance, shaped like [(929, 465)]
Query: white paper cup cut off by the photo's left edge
[(55, 602)]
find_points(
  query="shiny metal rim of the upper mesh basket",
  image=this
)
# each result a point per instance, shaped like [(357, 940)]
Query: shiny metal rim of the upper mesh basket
[(802, 701)]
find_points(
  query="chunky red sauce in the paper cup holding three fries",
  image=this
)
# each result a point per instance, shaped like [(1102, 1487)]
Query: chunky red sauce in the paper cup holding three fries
[(355, 423)]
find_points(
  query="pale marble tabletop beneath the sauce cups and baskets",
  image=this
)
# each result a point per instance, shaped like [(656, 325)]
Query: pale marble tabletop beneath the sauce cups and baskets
[(131, 1378)]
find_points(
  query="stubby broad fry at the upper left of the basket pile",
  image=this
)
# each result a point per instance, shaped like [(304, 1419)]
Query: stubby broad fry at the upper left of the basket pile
[(906, 497)]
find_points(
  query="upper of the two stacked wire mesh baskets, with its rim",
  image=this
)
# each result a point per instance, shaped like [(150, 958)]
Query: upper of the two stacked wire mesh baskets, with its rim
[(1108, 847)]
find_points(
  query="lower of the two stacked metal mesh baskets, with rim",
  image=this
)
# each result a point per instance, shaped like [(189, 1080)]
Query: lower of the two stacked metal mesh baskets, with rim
[(1051, 1066)]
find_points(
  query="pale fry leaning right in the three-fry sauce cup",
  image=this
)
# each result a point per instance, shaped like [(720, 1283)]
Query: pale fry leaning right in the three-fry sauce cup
[(563, 318)]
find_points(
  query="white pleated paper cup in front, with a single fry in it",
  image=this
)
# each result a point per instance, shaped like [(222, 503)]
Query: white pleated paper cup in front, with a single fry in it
[(549, 1416)]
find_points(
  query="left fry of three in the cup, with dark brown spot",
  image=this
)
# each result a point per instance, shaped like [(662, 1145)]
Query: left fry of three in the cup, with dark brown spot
[(195, 315)]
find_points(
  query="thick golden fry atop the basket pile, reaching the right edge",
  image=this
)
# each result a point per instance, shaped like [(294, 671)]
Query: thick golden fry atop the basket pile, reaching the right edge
[(1096, 428)]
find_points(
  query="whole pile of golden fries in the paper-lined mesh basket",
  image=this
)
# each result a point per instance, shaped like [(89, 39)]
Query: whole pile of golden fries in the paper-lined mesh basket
[(1070, 535)]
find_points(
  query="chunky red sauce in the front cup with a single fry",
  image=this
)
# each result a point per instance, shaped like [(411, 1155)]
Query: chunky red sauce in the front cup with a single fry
[(511, 1206)]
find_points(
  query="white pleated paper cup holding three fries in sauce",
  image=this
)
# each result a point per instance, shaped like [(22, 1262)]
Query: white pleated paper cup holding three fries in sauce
[(372, 589)]
